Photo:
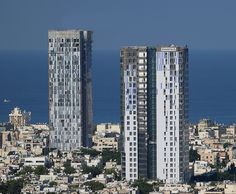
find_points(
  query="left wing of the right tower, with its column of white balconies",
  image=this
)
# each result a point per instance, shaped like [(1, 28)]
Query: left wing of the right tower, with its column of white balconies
[(134, 112)]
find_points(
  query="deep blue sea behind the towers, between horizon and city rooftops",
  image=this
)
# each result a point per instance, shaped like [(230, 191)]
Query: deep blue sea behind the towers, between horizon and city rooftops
[(24, 81)]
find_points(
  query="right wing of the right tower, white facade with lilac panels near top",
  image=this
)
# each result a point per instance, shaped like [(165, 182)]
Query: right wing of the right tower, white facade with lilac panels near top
[(172, 114)]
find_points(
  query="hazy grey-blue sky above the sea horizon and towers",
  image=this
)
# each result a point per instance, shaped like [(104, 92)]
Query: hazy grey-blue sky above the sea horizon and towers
[(201, 24)]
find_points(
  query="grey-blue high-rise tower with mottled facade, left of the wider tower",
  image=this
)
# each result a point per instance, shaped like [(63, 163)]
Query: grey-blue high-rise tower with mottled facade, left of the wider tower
[(70, 88)]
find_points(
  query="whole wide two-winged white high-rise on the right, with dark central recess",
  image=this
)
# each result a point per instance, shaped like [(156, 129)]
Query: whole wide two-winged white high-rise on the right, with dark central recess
[(154, 113)]
